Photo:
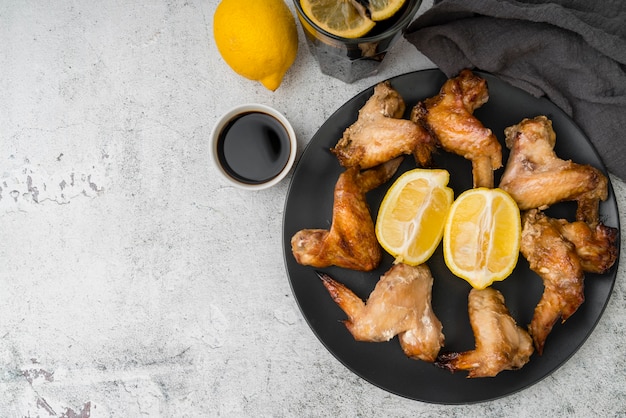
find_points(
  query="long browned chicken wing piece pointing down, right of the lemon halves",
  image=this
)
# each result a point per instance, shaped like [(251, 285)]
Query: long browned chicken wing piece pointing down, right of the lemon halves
[(555, 260)]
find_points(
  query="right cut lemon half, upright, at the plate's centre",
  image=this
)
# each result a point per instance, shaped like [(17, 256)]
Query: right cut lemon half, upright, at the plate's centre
[(482, 236)]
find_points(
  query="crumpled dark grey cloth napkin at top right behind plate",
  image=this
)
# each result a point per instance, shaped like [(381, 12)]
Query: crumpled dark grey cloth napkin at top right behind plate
[(571, 51)]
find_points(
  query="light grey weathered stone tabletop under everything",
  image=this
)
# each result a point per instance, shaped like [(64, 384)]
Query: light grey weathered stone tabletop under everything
[(133, 280)]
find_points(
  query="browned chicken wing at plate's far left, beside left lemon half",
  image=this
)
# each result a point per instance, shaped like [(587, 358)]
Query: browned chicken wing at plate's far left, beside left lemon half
[(351, 241)]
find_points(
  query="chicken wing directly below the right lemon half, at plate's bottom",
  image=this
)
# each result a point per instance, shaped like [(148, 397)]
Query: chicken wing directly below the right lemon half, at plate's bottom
[(500, 343)]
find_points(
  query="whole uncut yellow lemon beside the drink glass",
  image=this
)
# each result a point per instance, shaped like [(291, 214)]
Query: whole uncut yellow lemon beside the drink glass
[(258, 39)]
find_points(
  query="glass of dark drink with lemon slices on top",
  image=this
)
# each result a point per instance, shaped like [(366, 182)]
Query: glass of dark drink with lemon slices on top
[(350, 38)]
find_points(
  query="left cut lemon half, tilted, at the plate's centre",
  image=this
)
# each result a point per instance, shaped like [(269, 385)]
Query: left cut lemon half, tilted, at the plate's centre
[(412, 215)]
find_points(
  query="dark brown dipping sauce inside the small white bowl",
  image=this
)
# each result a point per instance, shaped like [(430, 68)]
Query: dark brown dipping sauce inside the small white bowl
[(253, 147)]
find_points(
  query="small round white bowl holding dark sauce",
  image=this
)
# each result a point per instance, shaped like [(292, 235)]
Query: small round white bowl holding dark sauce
[(253, 146)]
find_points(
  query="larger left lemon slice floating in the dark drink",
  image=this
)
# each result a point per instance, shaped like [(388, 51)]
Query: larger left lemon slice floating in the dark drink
[(345, 18)]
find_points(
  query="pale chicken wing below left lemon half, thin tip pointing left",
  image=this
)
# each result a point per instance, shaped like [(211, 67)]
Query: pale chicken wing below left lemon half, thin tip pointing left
[(400, 304)]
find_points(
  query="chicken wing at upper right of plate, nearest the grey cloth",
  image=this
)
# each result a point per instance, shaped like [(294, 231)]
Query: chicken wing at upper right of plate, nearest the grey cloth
[(536, 178)]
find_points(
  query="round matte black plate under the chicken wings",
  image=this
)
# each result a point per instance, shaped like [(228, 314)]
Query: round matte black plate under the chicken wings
[(309, 205)]
